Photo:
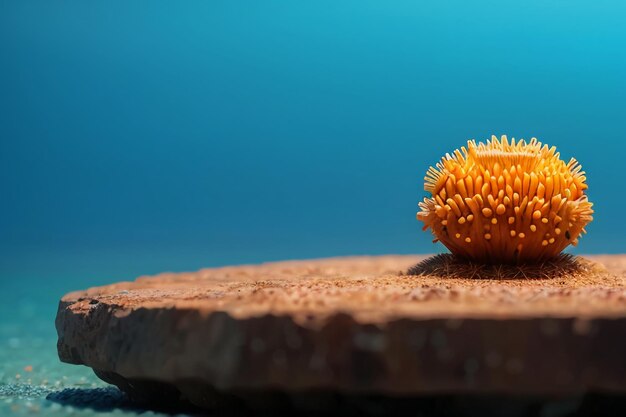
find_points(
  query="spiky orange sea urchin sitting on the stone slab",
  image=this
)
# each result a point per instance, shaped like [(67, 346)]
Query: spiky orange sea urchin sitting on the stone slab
[(506, 202)]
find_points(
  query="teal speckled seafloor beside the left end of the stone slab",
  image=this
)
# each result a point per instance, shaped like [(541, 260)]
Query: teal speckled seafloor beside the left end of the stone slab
[(32, 379)]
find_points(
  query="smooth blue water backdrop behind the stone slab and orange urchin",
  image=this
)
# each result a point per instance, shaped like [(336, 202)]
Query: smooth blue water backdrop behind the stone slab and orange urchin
[(148, 136)]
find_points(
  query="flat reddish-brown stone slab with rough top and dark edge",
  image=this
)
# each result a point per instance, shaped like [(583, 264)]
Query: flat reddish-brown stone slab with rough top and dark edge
[(353, 326)]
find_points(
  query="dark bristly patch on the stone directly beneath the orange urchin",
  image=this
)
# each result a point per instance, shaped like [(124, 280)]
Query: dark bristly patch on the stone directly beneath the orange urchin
[(450, 266)]
